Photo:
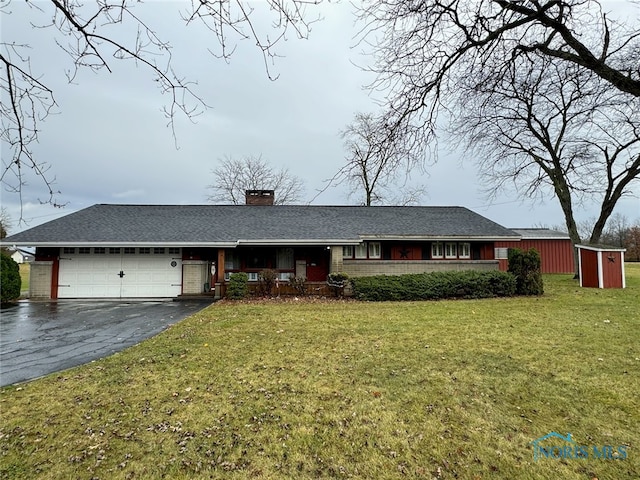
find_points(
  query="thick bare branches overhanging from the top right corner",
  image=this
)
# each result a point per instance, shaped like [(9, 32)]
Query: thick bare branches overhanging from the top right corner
[(422, 49)]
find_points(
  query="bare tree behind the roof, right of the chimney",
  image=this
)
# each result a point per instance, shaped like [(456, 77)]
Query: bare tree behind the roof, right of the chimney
[(378, 164)]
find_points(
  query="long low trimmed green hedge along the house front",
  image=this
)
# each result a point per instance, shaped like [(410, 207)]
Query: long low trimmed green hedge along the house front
[(435, 286)]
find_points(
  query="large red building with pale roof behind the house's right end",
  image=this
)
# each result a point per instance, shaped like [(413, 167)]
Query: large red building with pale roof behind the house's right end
[(555, 248)]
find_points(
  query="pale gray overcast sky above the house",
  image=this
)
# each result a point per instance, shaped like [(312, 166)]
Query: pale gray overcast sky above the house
[(109, 141)]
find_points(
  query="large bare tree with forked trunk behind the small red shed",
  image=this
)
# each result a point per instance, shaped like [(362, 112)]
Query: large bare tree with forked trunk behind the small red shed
[(546, 126)]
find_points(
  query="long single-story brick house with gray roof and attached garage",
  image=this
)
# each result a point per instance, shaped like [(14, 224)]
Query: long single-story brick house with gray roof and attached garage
[(147, 251)]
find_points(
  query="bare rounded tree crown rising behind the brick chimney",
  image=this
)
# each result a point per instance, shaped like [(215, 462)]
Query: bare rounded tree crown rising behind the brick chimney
[(234, 176)]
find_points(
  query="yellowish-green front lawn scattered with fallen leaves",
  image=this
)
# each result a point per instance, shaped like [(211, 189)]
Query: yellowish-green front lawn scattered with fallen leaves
[(341, 389)]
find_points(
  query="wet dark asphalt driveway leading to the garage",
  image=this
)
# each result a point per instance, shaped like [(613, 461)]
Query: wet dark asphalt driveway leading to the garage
[(38, 338)]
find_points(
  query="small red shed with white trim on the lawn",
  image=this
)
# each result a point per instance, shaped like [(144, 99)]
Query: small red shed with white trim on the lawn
[(601, 266)]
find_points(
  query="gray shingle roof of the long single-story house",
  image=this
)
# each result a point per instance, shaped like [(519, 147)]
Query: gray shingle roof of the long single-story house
[(251, 224)]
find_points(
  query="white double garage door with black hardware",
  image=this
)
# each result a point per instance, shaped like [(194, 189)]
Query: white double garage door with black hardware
[(120, 273)]
